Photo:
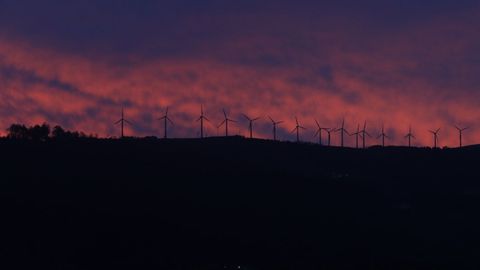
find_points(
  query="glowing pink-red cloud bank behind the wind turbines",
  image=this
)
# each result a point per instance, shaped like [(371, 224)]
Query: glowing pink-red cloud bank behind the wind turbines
[(387, 80)]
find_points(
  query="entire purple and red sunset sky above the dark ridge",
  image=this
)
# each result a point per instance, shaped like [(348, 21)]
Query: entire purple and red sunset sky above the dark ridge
[(392, 63)]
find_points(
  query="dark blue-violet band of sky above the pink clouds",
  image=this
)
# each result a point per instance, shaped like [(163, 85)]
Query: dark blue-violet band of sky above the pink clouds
[(166, 27)]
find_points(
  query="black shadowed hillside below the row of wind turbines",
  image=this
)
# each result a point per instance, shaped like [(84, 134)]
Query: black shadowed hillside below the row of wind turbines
[(234, 203)]
